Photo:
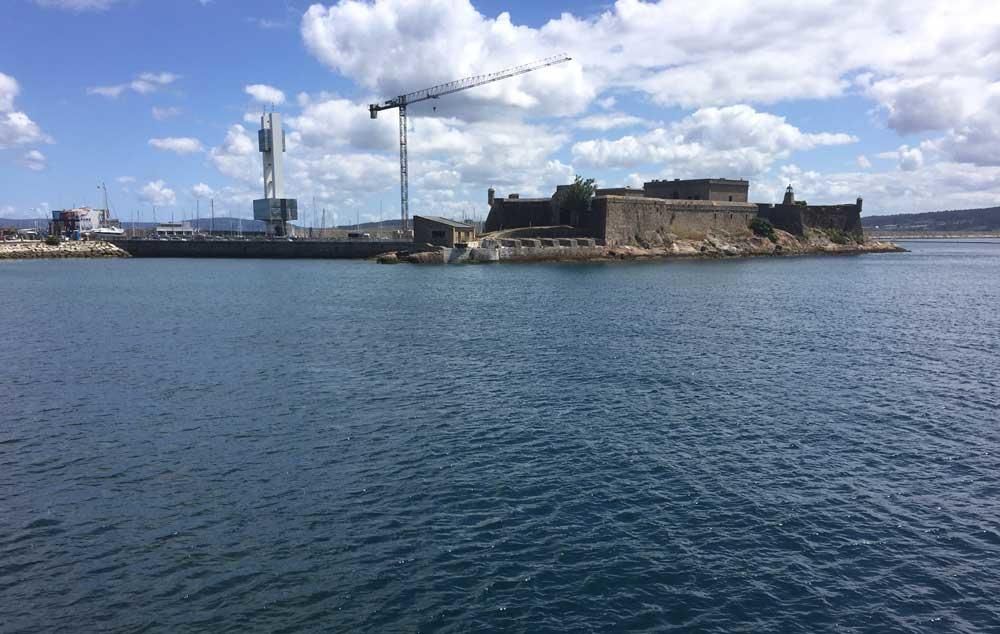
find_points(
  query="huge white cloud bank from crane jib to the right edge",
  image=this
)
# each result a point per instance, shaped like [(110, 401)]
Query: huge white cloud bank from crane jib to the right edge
[(925, 64)]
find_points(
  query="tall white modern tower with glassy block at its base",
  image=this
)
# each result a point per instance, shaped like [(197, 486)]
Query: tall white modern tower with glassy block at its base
[(273, 209)]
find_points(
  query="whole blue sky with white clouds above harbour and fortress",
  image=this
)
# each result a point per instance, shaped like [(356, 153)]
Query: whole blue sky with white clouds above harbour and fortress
[(157, 98)]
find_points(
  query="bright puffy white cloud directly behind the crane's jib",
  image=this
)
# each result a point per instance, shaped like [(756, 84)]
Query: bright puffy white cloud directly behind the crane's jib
[(394, 47)]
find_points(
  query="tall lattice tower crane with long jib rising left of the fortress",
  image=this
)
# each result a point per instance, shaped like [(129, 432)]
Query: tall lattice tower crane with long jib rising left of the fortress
[(434, 92)]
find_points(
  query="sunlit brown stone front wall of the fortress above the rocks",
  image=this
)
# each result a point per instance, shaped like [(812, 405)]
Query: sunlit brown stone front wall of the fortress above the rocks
[(623, 220)]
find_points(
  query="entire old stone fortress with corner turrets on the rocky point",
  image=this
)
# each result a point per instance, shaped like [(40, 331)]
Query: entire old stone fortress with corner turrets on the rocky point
[(667, 210)]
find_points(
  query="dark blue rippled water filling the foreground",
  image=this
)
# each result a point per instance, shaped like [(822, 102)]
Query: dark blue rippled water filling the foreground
[(795, 445)]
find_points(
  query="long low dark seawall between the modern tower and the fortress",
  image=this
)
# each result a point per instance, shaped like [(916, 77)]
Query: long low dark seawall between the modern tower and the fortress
[(280, 249)]
